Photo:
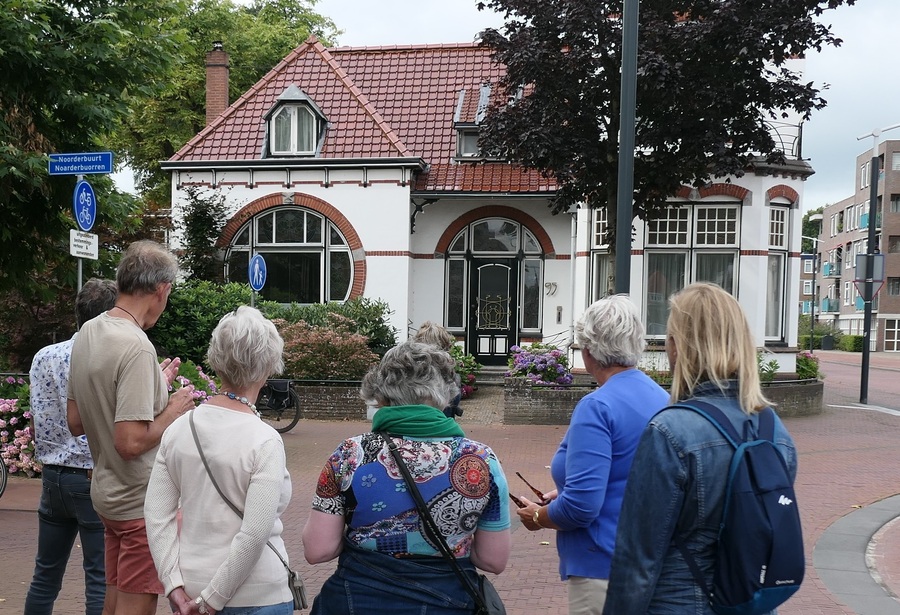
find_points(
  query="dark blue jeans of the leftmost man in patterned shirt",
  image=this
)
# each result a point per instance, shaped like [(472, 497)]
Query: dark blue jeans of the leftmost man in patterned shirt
[(64, 512)]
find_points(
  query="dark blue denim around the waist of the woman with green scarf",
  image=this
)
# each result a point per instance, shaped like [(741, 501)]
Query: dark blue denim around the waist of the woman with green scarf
[(370, 583)]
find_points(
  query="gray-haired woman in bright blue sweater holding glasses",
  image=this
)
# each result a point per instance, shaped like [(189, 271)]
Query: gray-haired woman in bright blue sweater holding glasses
[(591, 465)]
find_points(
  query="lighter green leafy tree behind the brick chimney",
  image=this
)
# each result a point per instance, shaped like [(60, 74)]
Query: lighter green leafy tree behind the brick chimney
[(256, 38)]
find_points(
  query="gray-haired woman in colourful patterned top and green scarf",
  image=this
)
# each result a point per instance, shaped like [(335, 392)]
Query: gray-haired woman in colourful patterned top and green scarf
[(364, 514)]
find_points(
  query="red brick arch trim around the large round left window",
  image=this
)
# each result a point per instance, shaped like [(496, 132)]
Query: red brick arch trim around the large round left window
[(310, 202)]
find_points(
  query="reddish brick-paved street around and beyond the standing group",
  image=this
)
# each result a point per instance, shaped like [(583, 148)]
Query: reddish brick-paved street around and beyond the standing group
[(849, 457)]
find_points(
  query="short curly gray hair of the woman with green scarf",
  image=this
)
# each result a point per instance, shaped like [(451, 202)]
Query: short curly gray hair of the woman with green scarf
[(412, 373)]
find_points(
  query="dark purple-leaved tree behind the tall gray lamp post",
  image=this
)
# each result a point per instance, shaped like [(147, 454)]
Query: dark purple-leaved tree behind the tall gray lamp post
[(712, 79)]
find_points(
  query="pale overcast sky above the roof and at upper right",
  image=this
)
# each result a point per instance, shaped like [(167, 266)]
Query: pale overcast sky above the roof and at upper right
[(864, 93)]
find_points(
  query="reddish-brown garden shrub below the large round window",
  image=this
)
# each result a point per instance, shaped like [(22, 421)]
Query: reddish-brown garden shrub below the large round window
[(329, 352)]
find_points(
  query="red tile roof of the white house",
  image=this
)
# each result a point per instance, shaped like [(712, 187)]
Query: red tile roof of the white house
[(380, 102)]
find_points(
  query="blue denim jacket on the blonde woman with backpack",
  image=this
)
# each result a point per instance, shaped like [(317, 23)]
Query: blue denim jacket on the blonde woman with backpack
[(675, 492)]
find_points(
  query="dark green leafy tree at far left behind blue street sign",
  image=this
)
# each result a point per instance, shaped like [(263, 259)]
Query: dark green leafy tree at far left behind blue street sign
[(68, 73)]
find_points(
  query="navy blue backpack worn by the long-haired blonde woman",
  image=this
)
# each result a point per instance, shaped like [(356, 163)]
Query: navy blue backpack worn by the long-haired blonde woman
[(759, 556)]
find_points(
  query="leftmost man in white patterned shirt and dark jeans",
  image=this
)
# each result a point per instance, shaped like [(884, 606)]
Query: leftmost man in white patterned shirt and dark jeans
[(65, 509)]
